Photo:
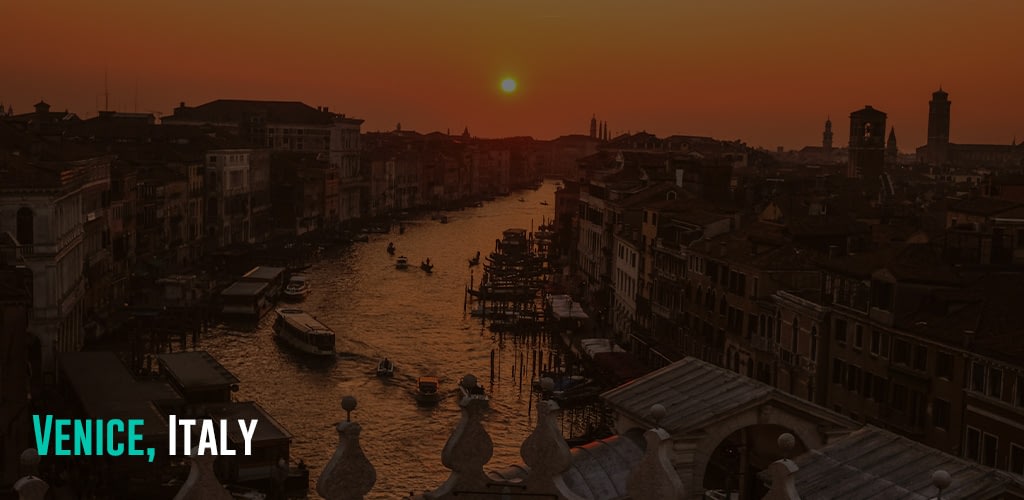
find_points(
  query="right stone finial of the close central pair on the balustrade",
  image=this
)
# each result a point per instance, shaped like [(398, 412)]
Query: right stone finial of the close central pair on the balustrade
[(547, 454)]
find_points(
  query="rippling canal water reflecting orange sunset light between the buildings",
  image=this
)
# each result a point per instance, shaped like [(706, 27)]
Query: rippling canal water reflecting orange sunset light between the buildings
[(416, 319)]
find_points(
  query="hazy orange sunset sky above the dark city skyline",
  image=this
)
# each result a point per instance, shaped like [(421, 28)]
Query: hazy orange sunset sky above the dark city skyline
[(763, 72)]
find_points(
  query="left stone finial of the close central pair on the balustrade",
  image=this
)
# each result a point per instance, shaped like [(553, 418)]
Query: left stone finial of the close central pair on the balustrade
[(468, 449)]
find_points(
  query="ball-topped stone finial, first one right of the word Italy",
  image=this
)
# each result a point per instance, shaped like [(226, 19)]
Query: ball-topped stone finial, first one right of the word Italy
[(349, 476)]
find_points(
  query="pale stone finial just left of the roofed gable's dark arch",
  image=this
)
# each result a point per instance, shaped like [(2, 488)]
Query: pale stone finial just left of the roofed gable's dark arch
[(656, 477)]
